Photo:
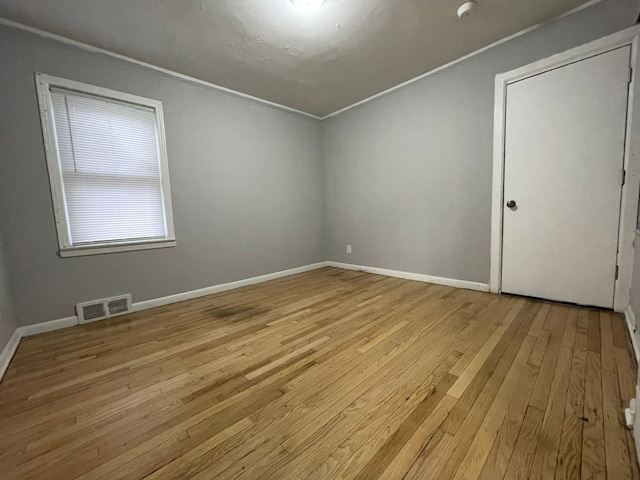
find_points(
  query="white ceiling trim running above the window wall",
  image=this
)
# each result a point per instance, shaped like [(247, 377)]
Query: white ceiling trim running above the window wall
[(148, 66)]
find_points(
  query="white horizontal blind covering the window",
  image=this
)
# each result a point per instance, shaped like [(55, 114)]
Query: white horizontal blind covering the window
[(110, 164)]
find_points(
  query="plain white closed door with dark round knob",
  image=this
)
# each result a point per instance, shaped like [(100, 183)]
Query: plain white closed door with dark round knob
[(564, 150)]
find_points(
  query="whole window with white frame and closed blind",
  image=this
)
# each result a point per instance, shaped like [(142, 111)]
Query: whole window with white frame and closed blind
[(107, 166)]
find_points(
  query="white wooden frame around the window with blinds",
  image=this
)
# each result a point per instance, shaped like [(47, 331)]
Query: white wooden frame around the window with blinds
[(44, 84)]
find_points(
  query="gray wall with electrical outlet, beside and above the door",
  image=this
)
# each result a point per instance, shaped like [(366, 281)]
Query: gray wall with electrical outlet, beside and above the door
[(408, 175)]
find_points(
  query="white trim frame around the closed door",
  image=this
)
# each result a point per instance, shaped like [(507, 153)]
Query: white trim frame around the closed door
[(631, 187)]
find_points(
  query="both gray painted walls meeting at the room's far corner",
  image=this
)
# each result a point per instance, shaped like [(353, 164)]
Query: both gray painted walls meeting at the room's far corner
[(404, 179)]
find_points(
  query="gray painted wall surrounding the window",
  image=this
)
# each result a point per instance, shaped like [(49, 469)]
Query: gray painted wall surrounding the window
[(245, 181)]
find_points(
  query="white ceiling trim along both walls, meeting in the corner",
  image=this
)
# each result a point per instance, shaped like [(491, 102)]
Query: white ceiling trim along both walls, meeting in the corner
[(196, 81)]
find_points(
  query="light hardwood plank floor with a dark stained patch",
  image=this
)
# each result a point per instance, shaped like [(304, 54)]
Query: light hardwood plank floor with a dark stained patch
[(324, 375)]
